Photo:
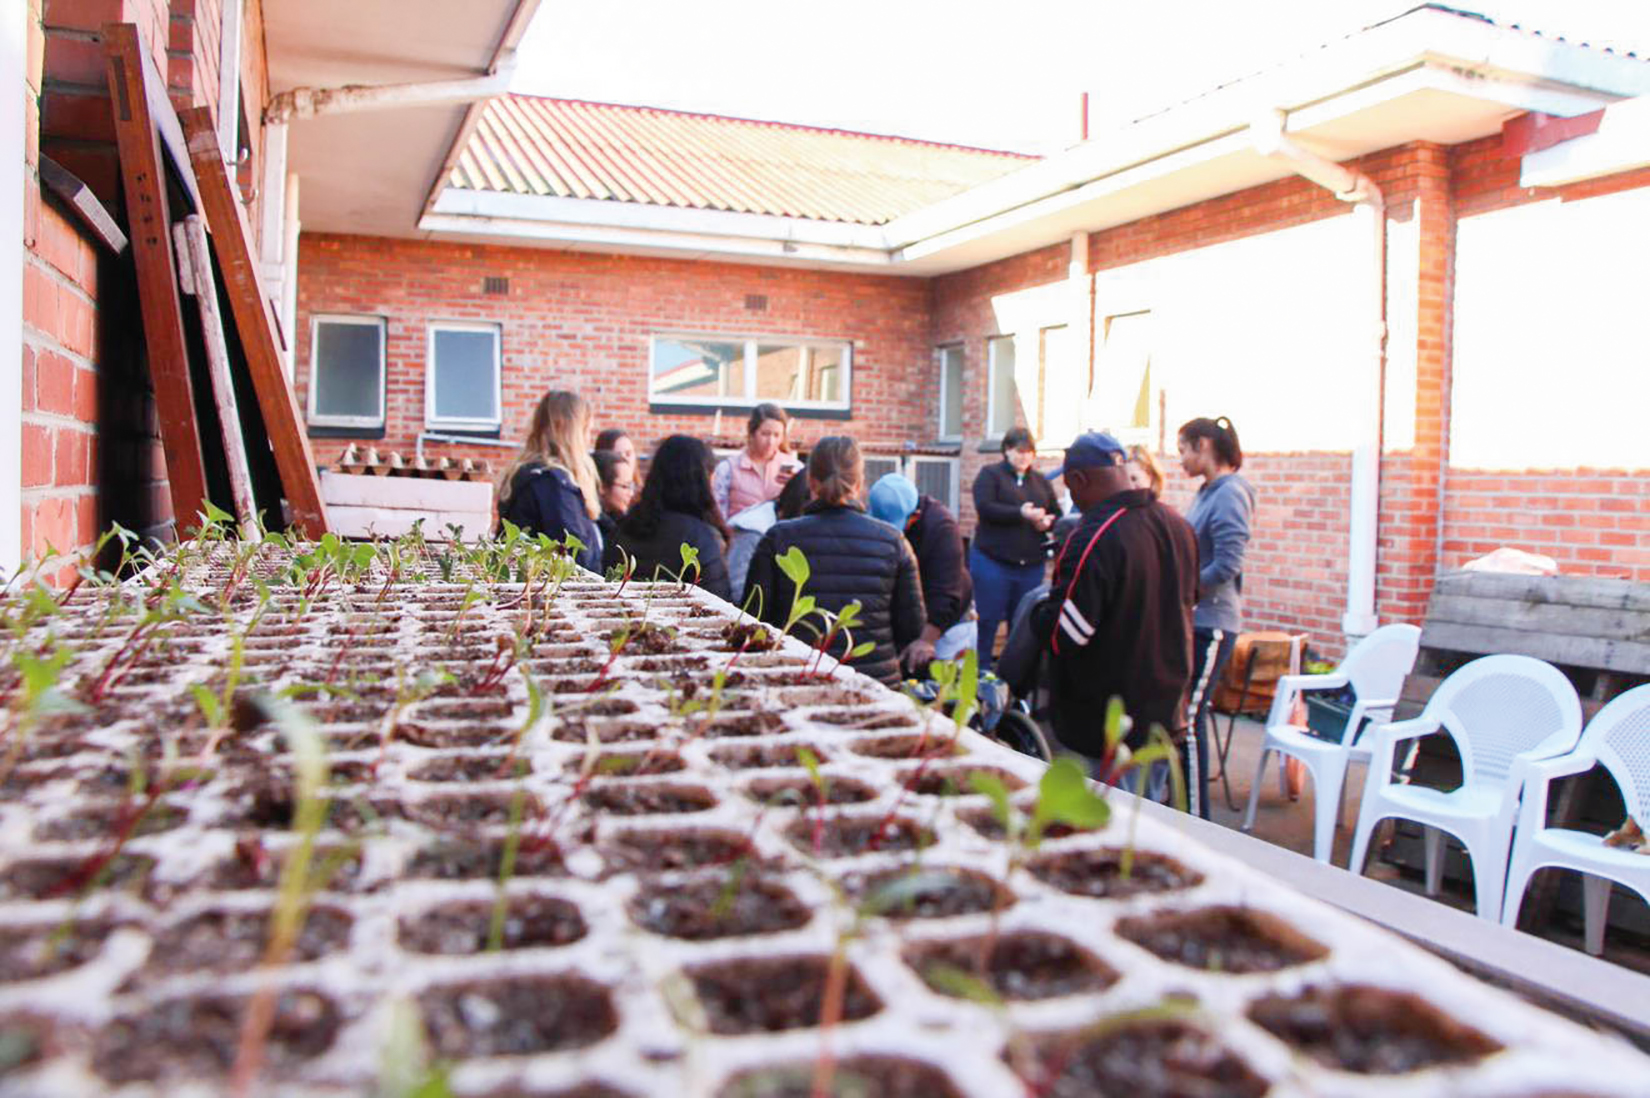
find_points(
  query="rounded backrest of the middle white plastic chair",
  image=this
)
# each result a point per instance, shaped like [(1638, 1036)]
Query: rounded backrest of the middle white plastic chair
[(1501, 708)]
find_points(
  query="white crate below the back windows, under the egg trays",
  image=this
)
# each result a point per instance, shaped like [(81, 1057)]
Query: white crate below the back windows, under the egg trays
[(362, 506)]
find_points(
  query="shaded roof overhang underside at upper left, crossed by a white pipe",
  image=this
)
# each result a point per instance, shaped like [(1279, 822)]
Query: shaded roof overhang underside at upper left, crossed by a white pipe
[(372, 173)]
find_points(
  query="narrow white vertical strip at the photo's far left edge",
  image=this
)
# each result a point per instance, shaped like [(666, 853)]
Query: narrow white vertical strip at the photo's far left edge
[(12, 106)]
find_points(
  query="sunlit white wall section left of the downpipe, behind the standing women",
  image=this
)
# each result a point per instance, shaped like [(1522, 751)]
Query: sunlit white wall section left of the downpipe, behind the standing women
[(1271, 331)]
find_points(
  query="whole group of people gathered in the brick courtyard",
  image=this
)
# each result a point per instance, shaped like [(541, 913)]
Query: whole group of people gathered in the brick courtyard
[(1144, 603)]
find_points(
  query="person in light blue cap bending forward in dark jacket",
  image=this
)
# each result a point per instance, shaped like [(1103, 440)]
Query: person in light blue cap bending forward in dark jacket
[(948, 590)]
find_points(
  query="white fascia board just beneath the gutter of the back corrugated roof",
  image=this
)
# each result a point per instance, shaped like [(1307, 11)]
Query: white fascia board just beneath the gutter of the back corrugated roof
[(658, 242)]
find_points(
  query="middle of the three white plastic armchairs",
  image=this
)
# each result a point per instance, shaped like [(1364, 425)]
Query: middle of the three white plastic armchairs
[(1502, 712)]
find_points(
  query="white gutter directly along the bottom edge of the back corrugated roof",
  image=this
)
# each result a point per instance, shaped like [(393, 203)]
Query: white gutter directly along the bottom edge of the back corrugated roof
[(596, 214)]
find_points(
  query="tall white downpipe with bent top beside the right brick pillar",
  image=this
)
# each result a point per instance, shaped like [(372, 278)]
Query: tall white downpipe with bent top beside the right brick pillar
[(1365, 491)]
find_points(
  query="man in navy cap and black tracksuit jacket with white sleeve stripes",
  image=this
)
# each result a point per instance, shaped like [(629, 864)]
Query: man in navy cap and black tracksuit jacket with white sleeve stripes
[(1120, 613)]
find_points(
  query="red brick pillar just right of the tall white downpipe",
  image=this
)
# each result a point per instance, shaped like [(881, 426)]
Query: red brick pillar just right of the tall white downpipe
[(1412, 481)]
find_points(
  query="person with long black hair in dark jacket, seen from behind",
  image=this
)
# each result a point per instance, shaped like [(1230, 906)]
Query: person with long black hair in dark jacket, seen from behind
[(676, 509)]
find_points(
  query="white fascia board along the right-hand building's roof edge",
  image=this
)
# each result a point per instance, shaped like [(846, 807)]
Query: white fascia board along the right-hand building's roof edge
[(1517, 70)]
